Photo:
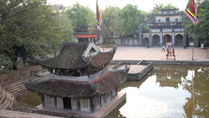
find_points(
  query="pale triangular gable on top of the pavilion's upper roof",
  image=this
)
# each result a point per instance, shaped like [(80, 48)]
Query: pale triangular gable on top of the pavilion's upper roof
[(91, 51)]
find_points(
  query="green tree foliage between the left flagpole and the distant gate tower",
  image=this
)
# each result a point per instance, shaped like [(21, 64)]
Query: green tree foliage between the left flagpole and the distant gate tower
[(118, 22)]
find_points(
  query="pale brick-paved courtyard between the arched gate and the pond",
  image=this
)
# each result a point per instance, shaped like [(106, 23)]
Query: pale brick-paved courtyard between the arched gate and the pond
[(155, 53)]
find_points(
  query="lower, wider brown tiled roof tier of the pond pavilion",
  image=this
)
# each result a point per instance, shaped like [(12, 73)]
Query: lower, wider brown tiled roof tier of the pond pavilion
[(103, 83)]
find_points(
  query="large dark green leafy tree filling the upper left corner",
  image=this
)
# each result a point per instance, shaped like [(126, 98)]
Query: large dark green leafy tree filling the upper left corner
[(27, 28)]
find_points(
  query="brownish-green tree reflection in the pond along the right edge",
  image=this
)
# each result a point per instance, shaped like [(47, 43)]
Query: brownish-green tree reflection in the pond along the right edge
[(198, 87)]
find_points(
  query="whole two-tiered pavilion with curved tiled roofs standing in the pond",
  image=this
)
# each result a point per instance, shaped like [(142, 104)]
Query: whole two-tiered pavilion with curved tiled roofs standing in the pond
[(80, 81)]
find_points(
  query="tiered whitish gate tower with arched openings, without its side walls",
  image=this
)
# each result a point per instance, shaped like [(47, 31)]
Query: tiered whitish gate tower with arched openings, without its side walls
[(167, 29)]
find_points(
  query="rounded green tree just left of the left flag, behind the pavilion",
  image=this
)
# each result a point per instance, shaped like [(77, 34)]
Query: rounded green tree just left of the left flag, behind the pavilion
[(81, 16)]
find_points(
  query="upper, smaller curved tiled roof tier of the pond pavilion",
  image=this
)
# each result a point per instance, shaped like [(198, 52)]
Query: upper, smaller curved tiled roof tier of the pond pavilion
[(70, 57)]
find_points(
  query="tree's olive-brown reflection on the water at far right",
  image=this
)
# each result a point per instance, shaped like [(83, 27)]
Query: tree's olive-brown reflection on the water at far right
[(198, 103)]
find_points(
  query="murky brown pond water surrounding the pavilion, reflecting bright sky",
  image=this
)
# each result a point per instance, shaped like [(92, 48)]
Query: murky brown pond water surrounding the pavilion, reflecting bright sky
[(166, 92)]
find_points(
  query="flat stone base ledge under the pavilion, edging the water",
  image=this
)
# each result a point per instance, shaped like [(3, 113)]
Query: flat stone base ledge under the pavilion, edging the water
[(102, 112)]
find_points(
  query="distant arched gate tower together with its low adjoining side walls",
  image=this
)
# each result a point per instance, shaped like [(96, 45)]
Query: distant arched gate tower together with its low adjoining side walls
[(166, 29)]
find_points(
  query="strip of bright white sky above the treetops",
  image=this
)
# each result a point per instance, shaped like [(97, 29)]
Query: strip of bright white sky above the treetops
[(145, 5)]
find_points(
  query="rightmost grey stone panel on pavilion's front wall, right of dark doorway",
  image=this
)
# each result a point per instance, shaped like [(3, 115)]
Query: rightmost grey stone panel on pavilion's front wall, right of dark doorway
[(85, 105)]
